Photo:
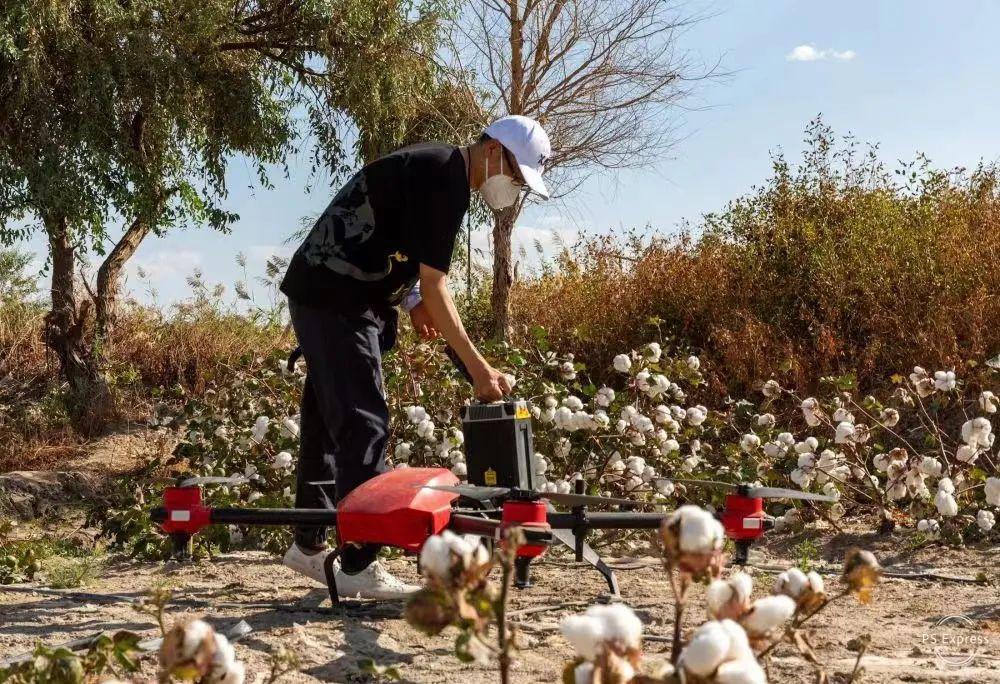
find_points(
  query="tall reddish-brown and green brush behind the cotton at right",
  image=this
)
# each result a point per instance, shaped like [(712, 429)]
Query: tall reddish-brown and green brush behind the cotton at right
[(828, 269)]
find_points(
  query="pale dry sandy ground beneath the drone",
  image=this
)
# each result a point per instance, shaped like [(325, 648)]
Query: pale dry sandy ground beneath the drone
[(284, 608)]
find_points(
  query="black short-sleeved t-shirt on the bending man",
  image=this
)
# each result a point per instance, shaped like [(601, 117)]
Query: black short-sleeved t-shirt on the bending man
[(398, 212)]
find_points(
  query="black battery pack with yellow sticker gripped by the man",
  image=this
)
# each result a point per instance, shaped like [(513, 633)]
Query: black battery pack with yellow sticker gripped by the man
[(498, 445)]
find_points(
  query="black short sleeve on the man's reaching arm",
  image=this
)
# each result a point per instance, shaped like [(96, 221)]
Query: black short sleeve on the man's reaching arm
[(438, 204)]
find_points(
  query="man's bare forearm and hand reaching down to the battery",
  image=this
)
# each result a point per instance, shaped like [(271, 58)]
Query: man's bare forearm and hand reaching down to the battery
[(488, 383)]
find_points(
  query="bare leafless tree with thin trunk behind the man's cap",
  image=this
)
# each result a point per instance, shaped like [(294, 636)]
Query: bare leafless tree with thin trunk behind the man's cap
[(602, 77)]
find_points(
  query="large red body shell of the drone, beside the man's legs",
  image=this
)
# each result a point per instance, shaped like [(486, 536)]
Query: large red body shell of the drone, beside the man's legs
[(394, 509)]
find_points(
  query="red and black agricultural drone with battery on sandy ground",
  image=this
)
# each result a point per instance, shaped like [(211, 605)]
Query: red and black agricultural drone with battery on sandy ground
[(402, 508)]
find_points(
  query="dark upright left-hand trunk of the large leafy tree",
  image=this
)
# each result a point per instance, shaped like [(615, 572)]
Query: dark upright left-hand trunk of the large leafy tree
[(66, 327)]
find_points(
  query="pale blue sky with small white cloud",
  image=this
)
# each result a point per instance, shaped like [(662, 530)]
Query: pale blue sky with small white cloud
[(911, 76)]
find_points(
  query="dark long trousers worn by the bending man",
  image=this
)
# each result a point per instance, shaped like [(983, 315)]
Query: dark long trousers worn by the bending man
[(345, 419)]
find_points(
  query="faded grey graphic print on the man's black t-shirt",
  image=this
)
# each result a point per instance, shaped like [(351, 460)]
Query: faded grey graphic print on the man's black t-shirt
[(337, 238)]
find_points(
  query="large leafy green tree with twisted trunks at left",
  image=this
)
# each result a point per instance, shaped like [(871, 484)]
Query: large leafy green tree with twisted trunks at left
[(128, 112)]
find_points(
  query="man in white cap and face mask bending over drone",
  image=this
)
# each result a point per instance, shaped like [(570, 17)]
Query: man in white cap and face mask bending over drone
[(387, 235)]
